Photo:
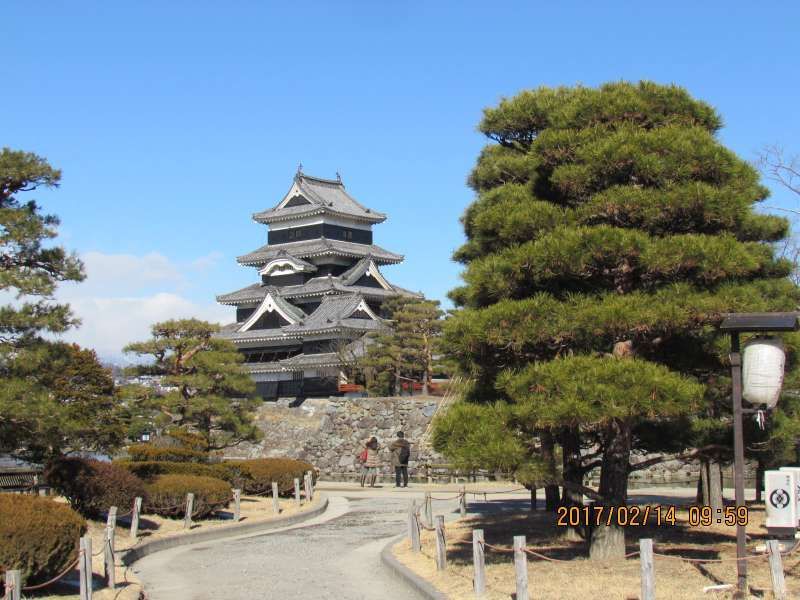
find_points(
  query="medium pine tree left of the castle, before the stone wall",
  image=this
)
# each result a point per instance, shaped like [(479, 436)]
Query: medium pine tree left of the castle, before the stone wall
[(207, 390)]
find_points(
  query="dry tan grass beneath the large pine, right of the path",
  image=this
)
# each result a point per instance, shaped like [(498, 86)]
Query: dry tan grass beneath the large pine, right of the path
[(580, 578)]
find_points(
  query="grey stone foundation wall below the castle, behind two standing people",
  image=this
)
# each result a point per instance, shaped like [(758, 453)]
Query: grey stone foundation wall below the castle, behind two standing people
[(330, 433)]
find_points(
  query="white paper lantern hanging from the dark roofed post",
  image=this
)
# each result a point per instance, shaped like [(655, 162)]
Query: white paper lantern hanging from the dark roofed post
[(762, 371)]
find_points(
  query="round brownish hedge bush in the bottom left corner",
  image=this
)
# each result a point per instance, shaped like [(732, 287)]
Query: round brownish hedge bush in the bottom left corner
[(38, 536)]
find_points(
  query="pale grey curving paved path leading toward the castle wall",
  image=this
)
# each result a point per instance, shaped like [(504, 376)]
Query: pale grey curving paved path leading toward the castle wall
[(335, 556)]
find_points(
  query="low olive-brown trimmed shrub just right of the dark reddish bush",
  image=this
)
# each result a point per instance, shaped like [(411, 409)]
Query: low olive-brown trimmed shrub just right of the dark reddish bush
[(166, 495)]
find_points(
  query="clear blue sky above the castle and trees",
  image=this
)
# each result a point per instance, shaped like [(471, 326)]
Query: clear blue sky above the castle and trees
[(174, 121)]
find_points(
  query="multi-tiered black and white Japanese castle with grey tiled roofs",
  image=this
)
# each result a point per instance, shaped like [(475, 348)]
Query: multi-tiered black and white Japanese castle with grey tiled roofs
[(319, 293)]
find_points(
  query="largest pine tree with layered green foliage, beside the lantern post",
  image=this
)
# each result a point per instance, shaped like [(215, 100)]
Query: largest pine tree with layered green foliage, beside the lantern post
[(610, 233)]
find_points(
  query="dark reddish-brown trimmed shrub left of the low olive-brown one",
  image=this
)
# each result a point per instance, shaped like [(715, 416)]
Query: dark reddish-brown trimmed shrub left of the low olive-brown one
[(92, 486)]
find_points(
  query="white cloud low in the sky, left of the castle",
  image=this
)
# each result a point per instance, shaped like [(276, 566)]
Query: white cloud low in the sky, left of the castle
[(123, 295)]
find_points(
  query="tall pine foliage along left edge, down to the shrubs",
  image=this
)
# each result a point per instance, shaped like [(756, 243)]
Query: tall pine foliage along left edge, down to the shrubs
[(55, 398)]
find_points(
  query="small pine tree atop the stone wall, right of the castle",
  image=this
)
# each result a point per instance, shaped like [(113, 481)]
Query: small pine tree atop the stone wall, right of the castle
[(407, 350)]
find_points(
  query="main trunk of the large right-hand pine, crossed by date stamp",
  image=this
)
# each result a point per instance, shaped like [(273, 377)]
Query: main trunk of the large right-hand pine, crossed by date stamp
[(608, 541)]
